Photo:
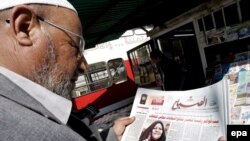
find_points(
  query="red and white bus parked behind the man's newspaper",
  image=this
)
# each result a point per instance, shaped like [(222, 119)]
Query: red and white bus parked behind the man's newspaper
[(108, 83)]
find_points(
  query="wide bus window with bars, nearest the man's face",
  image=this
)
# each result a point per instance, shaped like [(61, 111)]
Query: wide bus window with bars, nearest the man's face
[(95, 78)]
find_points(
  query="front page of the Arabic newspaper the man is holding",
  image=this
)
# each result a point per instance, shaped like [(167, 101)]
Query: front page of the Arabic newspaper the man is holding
[(193, 115)]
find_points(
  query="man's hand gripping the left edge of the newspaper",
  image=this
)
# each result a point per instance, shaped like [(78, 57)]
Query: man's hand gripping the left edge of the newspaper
[(120, 125)]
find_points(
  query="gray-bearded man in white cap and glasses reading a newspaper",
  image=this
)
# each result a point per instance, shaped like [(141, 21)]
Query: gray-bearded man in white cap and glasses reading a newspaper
[(41, 53)]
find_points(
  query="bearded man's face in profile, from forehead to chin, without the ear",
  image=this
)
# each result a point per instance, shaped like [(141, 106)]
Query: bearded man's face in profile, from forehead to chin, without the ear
[(58, 69)]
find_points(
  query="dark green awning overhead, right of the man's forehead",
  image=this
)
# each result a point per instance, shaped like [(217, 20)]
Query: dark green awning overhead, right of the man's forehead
[(106, 20)]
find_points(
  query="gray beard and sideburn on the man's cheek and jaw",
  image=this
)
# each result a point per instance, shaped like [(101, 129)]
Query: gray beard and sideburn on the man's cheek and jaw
[(50, 75)]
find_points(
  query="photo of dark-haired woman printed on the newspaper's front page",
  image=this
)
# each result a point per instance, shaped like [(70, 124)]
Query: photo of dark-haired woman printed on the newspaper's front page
[(155, 132)]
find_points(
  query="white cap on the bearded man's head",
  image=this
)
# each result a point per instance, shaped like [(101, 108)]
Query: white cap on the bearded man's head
[(4, 4)]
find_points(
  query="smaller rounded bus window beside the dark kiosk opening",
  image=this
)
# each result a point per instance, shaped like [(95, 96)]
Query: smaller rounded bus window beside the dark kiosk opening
[(117, 70)]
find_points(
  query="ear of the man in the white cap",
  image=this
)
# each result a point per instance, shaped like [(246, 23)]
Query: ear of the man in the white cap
[(23, 20)]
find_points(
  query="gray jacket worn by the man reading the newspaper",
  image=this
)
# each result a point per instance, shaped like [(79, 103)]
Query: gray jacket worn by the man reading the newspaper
[(22, 118)]
